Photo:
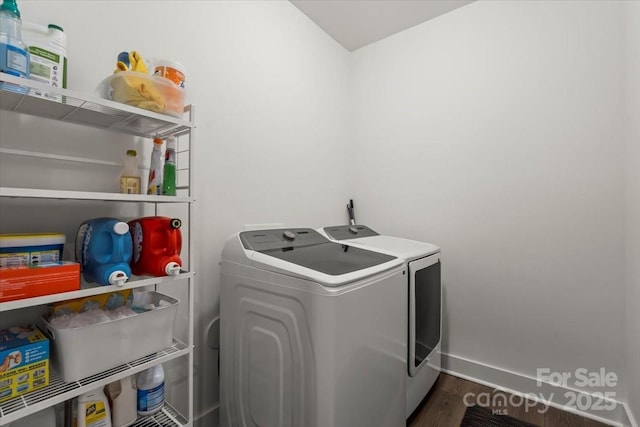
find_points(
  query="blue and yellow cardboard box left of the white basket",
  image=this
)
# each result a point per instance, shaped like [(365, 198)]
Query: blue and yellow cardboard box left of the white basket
[(24, 361)]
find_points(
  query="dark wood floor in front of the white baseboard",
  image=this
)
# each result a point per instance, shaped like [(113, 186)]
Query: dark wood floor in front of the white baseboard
[(445, 407)]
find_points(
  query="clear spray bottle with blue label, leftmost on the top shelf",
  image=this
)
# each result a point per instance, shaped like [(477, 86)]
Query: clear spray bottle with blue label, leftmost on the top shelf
[(14, 58)]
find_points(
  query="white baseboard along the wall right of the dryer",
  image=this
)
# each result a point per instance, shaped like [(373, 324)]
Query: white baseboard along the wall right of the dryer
[(547, 393)]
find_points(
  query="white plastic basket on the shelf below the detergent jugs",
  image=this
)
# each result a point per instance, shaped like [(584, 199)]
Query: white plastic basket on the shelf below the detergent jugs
[(77, 353)]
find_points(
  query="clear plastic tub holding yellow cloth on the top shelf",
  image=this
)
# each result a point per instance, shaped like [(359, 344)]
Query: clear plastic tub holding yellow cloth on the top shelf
[(145, 91)]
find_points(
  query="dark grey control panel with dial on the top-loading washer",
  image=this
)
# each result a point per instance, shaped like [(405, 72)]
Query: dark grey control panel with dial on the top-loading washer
[(263, 240)]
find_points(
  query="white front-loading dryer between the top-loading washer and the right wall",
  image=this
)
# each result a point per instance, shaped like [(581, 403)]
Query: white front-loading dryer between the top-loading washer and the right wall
[(424, 291)]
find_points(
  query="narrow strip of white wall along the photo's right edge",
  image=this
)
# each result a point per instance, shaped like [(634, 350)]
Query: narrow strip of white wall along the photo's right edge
[(633, 205)]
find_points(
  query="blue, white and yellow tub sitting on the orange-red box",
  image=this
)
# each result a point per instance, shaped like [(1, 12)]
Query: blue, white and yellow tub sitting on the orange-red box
[(30, 249)]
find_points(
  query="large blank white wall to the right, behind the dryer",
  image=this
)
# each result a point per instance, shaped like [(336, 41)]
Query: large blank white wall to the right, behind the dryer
[(495, 131)]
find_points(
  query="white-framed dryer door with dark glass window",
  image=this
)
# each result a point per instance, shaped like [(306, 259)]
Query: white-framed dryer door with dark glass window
[(425, 304)]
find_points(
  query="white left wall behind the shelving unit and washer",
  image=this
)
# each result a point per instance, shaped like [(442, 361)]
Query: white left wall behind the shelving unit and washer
[(270, 93)]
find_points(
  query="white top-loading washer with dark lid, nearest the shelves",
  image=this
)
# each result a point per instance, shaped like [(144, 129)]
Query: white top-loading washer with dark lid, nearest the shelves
[(312, 332)]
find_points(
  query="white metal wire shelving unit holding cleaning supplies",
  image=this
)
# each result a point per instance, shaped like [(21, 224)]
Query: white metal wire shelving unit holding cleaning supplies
[(38, 100)]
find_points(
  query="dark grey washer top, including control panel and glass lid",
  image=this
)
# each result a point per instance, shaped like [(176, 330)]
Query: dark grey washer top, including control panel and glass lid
[(307, 248)]
